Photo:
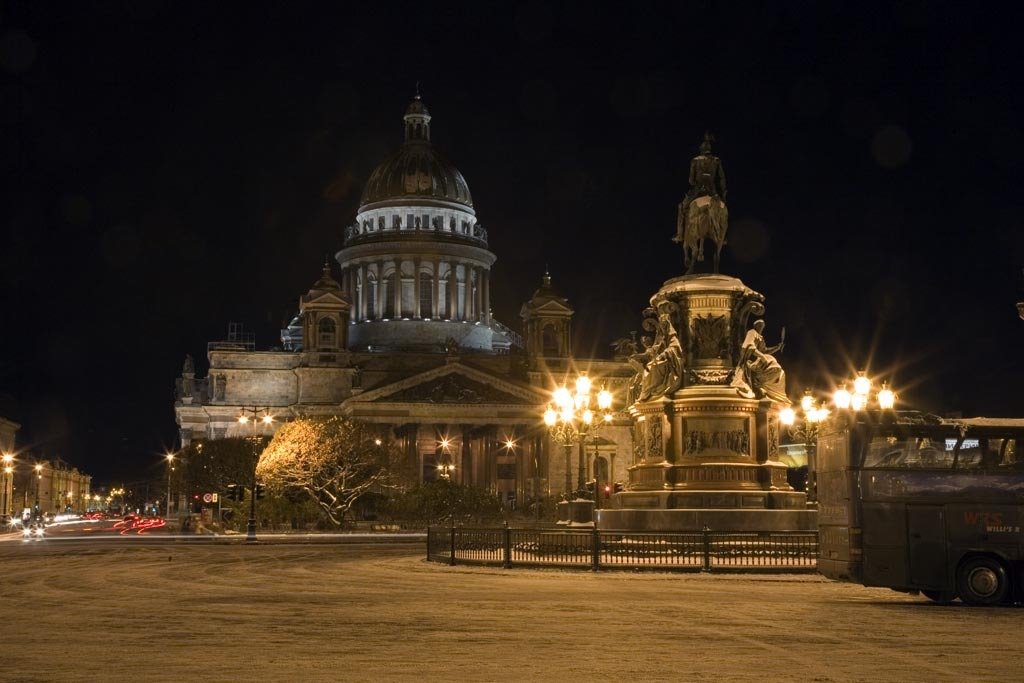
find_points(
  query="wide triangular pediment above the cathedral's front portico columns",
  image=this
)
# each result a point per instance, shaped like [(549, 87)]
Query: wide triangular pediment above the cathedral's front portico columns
[(454, 385)]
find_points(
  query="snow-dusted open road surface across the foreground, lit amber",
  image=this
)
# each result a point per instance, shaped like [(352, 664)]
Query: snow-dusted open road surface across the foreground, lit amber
[(146, 611)]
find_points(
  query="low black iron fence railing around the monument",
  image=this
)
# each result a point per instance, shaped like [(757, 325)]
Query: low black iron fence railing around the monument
[(601, 549)]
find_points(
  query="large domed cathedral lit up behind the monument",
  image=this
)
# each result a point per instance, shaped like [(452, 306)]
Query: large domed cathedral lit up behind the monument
[(405, 338)]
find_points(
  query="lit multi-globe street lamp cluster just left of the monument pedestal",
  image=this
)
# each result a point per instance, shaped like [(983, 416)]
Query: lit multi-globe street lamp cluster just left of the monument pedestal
[(571, 420)]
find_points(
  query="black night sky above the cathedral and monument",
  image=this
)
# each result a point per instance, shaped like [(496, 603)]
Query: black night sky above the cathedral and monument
[(170, 167)]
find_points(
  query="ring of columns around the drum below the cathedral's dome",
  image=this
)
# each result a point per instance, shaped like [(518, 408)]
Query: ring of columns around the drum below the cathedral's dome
[(441, 289)]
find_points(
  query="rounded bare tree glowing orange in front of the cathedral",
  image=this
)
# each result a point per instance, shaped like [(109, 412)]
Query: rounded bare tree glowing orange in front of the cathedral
[(334, 460)]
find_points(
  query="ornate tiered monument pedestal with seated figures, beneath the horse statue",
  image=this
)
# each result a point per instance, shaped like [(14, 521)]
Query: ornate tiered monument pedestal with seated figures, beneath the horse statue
[(706, 431)]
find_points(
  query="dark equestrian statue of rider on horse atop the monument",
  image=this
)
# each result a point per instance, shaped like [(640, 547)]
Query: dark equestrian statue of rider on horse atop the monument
[(703, 214)]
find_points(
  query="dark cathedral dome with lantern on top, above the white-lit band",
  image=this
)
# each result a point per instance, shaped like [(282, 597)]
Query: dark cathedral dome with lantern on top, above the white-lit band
[(416, 170)]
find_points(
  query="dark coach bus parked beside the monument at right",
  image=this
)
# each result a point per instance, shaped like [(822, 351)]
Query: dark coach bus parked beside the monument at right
[(918, 503)]
